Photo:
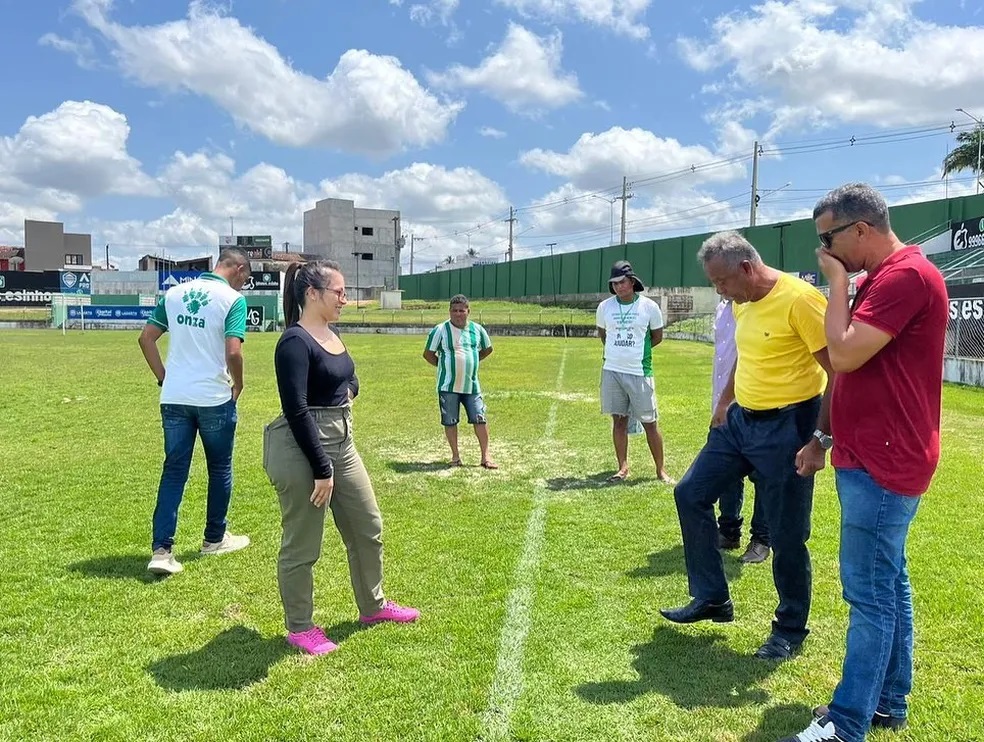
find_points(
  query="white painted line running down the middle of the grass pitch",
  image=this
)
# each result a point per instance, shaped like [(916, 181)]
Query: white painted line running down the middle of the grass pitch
[(507, 684)]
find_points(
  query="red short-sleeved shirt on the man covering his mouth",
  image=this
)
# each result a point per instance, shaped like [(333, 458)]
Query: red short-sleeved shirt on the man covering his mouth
[(885, 416)]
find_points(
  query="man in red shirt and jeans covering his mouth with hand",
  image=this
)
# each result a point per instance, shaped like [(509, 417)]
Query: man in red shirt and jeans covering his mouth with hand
[(887, 350)]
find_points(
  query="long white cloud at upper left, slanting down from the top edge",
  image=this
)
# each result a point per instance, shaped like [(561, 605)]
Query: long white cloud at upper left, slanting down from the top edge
[(368, 103)]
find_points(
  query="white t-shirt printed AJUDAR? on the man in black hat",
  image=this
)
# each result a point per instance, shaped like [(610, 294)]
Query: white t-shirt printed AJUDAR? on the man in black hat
[(628, 344)]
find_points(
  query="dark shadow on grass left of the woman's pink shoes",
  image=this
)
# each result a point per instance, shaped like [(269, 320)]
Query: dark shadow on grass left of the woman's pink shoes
[(235, 659)]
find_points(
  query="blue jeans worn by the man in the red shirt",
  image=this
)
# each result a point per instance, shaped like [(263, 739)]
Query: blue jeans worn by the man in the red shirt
[(877, 672)]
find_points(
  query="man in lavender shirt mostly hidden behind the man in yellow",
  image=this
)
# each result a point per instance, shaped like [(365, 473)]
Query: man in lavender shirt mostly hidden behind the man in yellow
[(729, 523)]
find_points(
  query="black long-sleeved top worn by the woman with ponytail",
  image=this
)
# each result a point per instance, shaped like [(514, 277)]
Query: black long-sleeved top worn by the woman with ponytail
[(309, 376)]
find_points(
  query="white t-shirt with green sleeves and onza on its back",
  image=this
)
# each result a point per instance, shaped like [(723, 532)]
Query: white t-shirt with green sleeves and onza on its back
[(199, 315)]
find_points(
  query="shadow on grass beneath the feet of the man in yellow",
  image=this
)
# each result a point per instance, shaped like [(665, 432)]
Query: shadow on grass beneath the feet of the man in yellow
[(693, 671)]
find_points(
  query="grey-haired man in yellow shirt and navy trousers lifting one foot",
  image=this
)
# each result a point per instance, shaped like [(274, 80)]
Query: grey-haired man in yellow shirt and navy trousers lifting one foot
[(773, 420)]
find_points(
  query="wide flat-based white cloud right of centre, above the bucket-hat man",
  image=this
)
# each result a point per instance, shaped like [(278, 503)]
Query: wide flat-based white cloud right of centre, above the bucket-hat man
[(596, 161)]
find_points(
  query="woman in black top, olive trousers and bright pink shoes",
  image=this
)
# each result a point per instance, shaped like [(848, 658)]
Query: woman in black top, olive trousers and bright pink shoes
[(309, 456)]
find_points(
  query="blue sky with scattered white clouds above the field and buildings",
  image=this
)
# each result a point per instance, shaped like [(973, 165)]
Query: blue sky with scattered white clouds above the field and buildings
[(150, 124)]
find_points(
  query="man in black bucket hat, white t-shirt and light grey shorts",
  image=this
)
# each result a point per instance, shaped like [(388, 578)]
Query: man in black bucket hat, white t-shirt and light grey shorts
[(629, 326)]
